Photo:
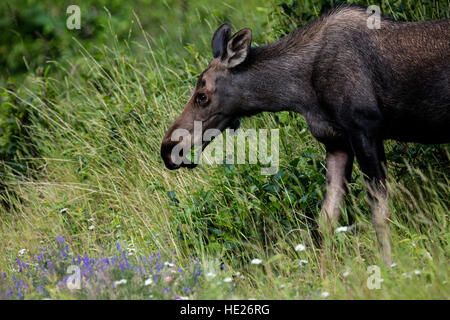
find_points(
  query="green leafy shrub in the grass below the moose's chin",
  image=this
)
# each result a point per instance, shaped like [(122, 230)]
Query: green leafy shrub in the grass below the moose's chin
[(244, 207)]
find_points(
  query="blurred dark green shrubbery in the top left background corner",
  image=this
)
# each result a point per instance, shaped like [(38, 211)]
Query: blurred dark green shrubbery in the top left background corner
[(35, 31)]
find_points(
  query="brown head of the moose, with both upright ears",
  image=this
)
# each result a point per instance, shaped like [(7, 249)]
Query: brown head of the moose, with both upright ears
[(216, 101)]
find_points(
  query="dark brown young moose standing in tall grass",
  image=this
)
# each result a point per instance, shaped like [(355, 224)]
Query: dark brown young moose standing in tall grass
[(355, 85)]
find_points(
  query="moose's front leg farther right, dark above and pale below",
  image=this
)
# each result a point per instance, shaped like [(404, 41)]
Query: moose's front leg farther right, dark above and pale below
[(369, 152)]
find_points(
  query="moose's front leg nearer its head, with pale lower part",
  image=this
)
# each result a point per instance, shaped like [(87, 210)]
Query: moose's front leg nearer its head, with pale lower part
[(339, 172)]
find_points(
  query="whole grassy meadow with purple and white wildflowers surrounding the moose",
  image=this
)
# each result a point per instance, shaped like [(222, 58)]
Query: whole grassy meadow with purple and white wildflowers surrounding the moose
[(82, 181)]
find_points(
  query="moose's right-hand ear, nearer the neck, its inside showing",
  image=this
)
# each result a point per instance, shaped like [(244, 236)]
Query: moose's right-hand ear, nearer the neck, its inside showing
[(238, 48)]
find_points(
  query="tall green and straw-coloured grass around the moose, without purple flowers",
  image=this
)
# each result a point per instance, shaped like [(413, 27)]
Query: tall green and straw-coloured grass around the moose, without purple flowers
[(97, 126)]
